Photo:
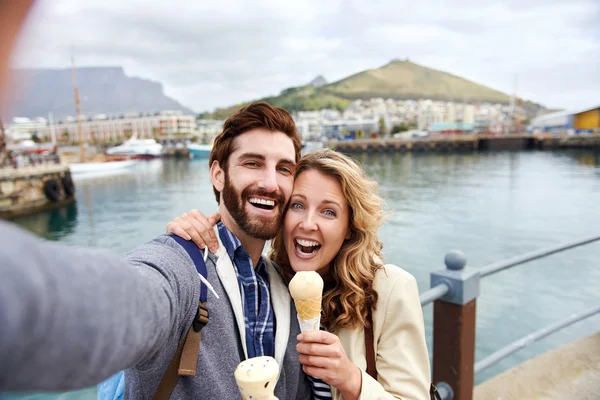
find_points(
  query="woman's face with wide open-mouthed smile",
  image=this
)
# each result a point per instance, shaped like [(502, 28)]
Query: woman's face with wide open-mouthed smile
[(316, 223)]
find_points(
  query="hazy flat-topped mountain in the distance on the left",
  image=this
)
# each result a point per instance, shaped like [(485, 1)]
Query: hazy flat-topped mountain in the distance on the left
[(102, 90)]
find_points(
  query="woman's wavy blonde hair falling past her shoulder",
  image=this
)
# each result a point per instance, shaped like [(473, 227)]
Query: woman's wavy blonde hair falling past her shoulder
[(349, 292)]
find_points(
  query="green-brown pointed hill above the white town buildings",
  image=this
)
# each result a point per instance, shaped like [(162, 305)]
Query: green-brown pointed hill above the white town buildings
[(400, 80)]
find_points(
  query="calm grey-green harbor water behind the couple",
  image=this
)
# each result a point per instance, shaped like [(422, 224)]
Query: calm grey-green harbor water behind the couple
[(491, 206)]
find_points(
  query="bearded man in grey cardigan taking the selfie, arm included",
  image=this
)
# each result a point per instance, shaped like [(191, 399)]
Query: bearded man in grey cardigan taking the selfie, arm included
[(71, 317)]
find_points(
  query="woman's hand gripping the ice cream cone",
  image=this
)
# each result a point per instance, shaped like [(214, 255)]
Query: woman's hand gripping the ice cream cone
[(322, 356)]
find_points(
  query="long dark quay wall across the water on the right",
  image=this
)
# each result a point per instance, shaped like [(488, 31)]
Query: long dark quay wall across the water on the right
[(465, 143)]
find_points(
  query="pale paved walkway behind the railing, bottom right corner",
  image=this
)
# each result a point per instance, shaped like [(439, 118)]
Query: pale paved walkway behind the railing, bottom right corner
[(569, 372)]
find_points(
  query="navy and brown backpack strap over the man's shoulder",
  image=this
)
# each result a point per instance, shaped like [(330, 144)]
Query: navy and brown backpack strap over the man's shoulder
[(185, 358)]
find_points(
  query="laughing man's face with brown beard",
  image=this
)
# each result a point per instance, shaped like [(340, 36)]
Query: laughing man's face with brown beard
[(258, 182)]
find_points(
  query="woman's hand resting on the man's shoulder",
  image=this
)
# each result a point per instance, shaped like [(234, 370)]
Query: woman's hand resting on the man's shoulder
[(195, 226)]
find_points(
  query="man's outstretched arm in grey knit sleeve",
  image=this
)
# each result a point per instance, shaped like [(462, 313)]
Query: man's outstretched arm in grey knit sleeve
[(71, 317)]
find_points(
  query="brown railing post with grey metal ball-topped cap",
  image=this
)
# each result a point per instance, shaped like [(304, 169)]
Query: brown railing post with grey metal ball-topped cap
[(454, 318)]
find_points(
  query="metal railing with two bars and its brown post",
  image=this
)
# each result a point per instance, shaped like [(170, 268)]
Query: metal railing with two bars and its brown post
[(455, 291)]
